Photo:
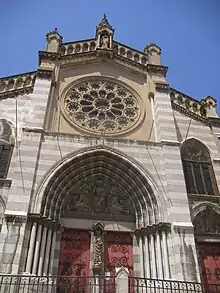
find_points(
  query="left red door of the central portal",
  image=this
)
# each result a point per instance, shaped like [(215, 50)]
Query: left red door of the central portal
[(74, 260)]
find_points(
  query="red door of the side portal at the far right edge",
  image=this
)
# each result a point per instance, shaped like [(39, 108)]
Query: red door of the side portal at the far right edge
[(210, 265)]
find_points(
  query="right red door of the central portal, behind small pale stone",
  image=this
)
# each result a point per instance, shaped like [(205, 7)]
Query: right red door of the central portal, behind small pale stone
[(118, 253)]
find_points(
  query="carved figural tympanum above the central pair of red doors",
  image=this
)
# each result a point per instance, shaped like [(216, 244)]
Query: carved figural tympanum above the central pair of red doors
[(98, 198)]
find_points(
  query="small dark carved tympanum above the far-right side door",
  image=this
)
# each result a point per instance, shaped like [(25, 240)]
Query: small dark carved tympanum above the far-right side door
[(207, 222)]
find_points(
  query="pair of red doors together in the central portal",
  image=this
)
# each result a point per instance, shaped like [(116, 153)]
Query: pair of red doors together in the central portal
[(77, 250)]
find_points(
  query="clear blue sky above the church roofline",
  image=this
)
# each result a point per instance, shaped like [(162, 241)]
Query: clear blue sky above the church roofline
[(188, 31)]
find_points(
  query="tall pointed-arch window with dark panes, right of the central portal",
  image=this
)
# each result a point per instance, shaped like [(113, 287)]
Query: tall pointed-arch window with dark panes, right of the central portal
[(198, 169)]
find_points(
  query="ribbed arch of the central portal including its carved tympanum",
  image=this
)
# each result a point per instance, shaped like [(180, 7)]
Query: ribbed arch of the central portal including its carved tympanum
[(99, 183)]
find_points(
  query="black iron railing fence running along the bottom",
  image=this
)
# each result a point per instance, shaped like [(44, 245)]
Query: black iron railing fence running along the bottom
[(56, 284)]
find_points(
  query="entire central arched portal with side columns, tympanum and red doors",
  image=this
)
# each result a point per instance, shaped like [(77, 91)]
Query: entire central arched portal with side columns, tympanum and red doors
[(98, 185)]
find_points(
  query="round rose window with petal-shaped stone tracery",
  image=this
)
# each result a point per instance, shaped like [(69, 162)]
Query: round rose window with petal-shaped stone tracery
[(101, 106)]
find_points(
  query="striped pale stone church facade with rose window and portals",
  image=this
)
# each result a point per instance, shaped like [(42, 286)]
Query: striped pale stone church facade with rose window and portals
[(105, 169)]
